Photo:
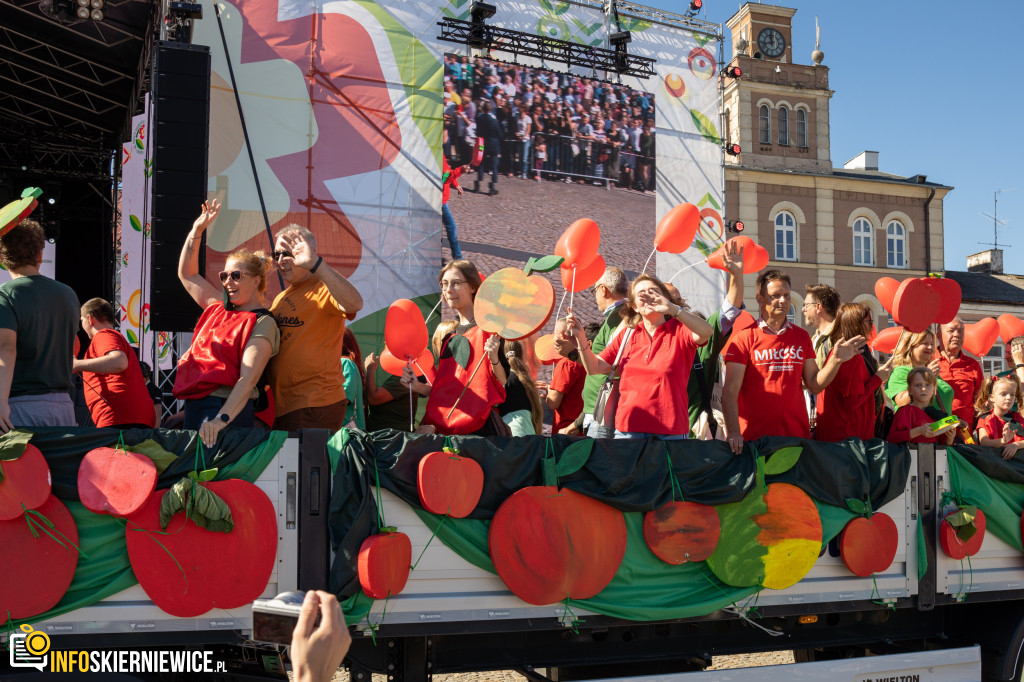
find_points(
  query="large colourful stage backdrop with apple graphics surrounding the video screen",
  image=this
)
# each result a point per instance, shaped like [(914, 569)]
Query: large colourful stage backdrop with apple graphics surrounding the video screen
[(343, 105)]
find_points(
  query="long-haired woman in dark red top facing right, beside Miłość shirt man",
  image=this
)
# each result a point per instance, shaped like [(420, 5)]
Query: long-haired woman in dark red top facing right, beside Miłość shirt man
[(848, 407)]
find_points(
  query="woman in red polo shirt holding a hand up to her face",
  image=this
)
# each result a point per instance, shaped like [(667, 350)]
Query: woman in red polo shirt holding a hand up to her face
[(656, 362)]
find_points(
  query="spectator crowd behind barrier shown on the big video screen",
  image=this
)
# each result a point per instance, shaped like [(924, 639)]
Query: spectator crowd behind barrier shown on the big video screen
[(539, 125)]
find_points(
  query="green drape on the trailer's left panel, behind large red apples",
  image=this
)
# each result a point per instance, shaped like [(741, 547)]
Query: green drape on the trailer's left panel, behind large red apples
[(107, 571)]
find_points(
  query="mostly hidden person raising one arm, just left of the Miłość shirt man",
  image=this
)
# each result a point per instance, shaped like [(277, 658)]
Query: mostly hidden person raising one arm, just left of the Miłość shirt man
[(705, 375)]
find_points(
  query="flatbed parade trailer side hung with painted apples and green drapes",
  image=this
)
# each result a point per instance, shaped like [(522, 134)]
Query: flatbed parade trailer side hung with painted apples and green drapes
[(558, 558)]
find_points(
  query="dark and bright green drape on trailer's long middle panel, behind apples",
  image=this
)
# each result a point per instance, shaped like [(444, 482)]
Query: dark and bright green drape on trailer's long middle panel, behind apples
[(632, 477)]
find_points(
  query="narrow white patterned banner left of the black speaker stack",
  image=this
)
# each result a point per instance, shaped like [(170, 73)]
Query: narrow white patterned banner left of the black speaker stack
[(136, 263)]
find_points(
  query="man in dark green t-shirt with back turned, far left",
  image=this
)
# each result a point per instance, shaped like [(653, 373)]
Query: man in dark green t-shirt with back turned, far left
[(39, 319)]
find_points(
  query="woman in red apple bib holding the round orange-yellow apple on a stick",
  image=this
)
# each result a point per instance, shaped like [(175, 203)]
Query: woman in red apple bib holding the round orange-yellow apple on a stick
[(450, 410)]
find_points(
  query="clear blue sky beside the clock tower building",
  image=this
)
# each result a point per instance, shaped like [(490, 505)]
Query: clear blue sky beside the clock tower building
[(934, 87)]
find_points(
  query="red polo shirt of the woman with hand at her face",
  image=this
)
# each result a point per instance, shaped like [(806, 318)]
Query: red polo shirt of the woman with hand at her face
[(655, 373)]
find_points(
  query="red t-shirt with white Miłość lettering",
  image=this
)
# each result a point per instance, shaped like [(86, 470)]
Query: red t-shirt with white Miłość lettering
[(772, 399)]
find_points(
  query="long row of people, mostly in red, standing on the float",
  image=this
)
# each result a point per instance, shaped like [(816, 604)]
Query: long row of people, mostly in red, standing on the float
[(681, 373)]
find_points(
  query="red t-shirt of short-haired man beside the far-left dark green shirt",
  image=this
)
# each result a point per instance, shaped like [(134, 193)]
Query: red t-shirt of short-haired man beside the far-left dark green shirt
[(117, 399)]
